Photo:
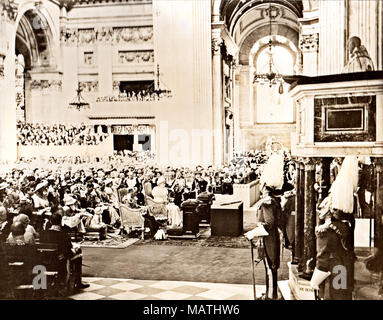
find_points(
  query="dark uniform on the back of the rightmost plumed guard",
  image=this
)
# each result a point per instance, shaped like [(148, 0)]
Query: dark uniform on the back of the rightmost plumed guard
[(334, 248)]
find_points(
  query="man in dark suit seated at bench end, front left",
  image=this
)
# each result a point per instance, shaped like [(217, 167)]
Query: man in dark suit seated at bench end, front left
[(67, 250)]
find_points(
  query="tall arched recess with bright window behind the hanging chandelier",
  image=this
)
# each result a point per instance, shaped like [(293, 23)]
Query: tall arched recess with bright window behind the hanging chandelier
[(262, 110)]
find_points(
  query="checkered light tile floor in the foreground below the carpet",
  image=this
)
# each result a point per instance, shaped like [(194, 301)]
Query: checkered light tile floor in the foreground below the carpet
[(128, 289)]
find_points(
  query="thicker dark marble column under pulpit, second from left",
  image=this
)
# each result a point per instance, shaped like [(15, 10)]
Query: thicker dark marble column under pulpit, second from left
[(309, 251)]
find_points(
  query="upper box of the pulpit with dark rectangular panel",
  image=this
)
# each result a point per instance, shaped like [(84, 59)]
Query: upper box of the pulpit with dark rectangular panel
[(338, 115)]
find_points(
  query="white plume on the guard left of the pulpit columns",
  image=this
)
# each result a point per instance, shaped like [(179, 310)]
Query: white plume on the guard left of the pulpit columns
[(272, 174)]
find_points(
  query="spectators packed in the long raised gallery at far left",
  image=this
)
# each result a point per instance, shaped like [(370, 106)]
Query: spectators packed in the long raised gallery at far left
[(57, 135)]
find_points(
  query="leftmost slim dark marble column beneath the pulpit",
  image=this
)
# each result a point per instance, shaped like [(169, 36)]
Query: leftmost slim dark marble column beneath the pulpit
[(299, 215)]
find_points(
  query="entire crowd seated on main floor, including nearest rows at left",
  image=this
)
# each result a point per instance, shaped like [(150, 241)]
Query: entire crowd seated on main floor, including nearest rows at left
[(81, 194)]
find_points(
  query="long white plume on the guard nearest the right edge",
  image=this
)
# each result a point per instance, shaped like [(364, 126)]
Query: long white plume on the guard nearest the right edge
[(345, 185)]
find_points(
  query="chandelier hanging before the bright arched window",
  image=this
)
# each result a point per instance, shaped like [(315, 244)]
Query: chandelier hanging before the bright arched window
[(272, 77)]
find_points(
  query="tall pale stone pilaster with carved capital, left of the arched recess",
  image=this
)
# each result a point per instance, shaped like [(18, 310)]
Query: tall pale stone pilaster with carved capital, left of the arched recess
[(218, 114)]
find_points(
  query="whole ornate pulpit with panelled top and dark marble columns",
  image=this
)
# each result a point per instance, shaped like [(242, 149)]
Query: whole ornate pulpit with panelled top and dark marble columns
[(336, 115)]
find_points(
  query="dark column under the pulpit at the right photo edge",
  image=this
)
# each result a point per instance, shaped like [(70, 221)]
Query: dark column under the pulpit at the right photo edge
[(378, 228)]
